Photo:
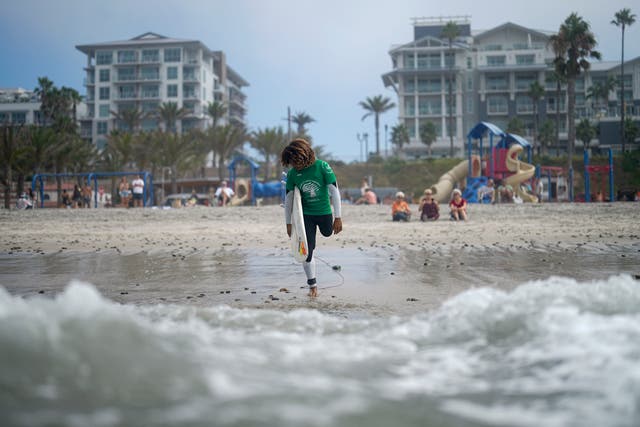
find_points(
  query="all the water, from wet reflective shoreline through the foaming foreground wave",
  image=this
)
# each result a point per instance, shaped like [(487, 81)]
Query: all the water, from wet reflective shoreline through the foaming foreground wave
[(489, 337)]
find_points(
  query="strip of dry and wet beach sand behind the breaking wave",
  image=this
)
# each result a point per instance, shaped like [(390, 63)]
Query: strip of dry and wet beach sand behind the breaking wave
[(240, 255)]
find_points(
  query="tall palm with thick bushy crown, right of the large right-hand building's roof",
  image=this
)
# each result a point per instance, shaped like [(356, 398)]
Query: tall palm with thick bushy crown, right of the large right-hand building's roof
[(576, 44)]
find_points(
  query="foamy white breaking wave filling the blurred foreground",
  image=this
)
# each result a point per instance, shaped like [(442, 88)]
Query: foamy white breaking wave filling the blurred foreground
[(555, 353)]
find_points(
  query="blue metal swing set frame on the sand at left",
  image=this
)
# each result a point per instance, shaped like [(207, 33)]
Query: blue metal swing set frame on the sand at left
[(91, 179)]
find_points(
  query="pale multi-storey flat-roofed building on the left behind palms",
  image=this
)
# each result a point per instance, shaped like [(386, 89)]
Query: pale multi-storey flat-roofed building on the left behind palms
[(151, 69)]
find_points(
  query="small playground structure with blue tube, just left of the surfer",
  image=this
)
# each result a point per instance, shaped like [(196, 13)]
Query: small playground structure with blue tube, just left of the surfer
[(252, 189)]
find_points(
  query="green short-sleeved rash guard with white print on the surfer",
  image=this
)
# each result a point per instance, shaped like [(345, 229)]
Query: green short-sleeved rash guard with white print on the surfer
[(312, 182)]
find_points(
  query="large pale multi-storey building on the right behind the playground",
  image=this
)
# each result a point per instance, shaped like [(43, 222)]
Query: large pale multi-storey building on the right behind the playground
[(492, 72)]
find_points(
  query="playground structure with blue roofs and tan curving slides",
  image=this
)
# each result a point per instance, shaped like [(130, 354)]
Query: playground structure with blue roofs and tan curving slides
[(501, 162)]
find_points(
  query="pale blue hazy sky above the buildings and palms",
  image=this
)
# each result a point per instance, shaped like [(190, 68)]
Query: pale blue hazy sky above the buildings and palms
[(317, 56)]
